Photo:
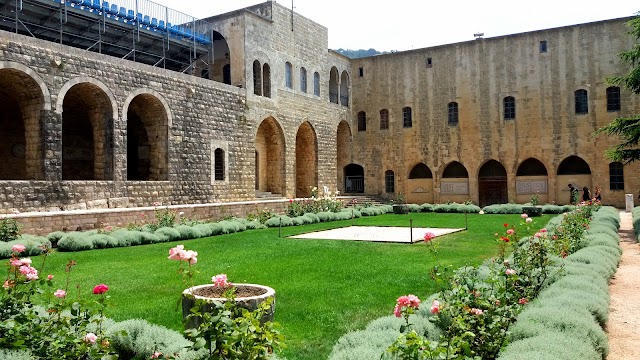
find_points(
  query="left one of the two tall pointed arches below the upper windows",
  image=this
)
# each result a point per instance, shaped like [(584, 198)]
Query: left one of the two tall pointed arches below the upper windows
[(270, 146)]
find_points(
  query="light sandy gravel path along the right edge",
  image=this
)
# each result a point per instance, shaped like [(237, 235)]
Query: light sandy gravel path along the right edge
[(623, 326)]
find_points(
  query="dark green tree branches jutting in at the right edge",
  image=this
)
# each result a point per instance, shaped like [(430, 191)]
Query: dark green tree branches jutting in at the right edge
[(628, 128)]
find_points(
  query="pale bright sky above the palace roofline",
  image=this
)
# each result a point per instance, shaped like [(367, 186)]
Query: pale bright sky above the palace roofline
[(407, 24)]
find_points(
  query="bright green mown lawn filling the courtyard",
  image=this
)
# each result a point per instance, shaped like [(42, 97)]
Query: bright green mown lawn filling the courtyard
[(324, 288)]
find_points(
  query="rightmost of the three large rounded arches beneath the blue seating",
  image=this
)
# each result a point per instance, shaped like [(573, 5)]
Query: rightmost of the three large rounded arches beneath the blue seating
[(148, 119)]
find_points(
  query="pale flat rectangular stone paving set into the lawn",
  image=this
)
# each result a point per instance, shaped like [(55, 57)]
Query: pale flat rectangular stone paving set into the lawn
[(376, 234)]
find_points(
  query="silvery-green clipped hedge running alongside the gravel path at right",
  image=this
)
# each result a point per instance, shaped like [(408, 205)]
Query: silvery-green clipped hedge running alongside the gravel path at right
[(566, 320)]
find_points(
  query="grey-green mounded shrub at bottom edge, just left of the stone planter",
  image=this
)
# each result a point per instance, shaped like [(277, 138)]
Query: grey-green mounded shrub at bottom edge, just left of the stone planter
[(137, 338)]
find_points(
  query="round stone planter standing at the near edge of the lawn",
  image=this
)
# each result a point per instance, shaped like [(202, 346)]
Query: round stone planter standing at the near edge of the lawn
[(251, 303)]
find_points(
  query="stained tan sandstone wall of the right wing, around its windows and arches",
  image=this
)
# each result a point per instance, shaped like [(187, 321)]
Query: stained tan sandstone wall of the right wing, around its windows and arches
[(478, 75)]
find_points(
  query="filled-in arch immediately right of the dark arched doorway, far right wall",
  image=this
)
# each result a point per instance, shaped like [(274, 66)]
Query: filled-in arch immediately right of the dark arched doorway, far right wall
[(532, 179)]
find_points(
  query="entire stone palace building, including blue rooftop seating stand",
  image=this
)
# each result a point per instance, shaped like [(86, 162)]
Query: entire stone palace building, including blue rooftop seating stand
[(127, 103)]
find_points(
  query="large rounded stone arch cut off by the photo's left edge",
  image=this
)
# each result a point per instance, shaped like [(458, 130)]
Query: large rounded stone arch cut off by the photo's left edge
[(24, 97)]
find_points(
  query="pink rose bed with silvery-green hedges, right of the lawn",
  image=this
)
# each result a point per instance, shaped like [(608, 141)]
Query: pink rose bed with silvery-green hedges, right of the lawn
[(565, 306)]
